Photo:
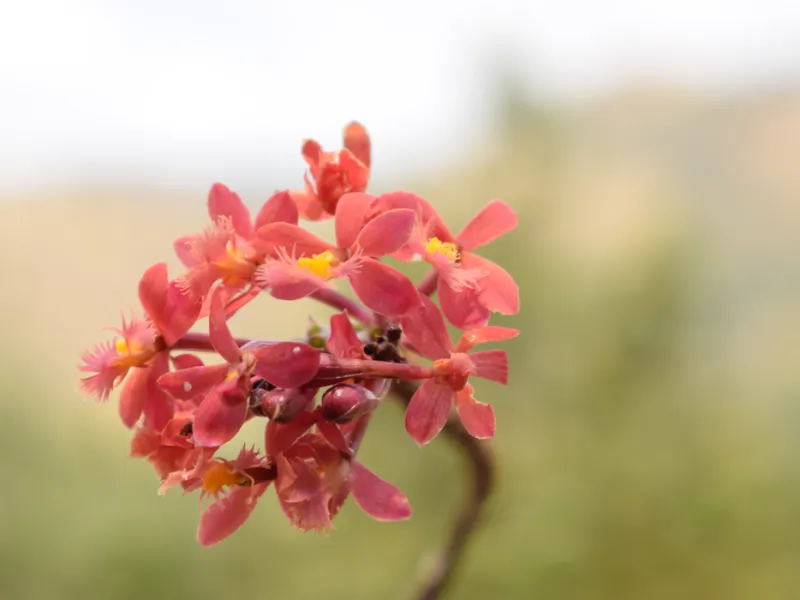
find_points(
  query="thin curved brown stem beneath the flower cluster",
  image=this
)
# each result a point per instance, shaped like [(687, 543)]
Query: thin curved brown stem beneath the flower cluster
[(482, 469)]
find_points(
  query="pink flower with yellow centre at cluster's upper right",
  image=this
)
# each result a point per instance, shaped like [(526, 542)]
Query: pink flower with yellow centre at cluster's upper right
[(470, 287)]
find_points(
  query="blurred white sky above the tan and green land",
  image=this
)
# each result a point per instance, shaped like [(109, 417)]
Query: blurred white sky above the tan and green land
[(171, 93)]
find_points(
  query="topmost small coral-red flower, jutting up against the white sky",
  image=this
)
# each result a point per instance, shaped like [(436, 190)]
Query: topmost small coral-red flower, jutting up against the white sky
[(333, 174)]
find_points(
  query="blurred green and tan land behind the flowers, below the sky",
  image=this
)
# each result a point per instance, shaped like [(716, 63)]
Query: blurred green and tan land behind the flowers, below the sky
[(647, 444)]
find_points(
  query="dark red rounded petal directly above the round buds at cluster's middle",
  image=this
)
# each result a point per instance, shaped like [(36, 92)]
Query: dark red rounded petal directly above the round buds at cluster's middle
[(286, 364)]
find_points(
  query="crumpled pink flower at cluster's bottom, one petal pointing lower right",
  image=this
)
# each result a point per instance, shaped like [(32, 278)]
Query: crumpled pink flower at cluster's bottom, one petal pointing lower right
[(316, 472)]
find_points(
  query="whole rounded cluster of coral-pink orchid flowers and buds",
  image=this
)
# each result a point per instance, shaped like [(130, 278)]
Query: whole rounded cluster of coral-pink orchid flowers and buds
[(184, 409)]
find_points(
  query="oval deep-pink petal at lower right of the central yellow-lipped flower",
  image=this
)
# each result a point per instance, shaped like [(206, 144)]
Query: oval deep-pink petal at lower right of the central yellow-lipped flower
[(384, 289)]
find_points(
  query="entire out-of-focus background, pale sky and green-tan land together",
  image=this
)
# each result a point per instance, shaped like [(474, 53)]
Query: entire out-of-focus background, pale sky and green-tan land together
[(648, 442)]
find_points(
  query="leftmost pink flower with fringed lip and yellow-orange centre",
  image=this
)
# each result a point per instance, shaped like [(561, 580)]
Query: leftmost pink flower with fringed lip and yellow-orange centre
[(142, 351)]
